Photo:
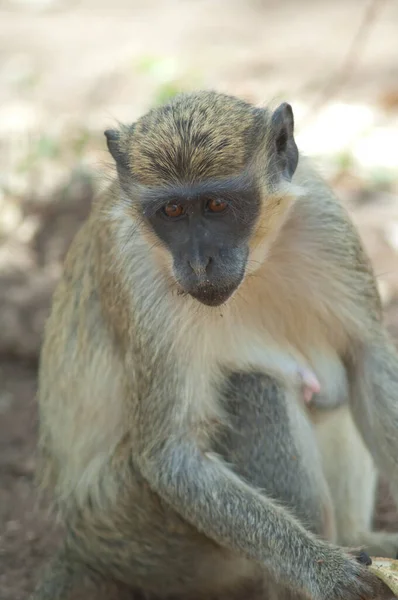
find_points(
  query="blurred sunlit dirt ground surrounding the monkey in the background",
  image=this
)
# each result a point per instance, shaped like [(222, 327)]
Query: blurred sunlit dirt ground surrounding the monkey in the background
[(69, 70)]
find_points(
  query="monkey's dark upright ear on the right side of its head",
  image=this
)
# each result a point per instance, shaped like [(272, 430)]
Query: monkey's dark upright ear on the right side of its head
[(282, 123)]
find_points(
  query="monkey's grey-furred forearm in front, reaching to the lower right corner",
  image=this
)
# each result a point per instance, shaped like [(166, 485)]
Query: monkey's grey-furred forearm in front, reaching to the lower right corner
[(217, 502)]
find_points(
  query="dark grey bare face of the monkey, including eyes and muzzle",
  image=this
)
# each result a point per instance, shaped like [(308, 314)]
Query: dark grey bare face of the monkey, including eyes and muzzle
[(206, 228)]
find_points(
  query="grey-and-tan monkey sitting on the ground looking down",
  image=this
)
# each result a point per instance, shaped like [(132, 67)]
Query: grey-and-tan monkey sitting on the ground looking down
[(216, 271)]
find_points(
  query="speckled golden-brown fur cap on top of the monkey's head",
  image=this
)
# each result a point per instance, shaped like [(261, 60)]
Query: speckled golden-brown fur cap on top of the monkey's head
[(196, 136)]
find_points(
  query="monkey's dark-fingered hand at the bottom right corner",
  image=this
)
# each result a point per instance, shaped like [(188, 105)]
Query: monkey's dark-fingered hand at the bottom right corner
[(346, 577)]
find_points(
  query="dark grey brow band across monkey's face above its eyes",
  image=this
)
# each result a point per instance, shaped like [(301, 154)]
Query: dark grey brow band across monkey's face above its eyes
[(232, 188)]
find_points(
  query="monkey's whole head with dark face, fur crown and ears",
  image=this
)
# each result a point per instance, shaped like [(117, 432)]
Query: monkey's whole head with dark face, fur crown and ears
[(207, 175)]
